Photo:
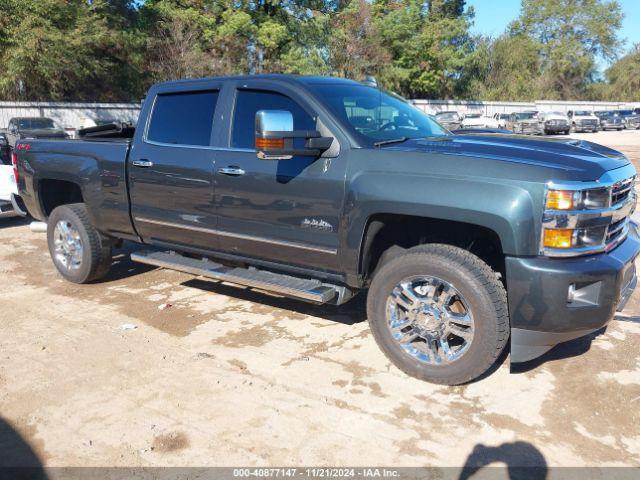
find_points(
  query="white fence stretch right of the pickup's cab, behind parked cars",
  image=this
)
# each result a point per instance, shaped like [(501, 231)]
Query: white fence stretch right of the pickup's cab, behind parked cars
[(489, 108)]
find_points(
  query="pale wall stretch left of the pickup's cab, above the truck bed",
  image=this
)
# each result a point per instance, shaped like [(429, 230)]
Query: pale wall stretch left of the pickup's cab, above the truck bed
[(71, 116)]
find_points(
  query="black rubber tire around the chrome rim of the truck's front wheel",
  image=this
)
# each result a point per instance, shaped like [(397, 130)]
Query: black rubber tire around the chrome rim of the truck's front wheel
[(479, 286)]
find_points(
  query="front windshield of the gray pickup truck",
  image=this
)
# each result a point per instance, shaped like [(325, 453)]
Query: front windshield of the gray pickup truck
[(376, 115)]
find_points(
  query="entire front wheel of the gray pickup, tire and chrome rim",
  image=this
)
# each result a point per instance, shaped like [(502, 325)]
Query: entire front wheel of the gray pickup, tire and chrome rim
[(439, 313)]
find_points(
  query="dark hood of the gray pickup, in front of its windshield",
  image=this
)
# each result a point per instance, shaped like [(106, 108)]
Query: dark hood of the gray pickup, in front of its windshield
[(586, 160)]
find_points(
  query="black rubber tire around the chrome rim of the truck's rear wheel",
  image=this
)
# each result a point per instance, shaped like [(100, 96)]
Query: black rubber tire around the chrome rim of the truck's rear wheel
[(96, 248)]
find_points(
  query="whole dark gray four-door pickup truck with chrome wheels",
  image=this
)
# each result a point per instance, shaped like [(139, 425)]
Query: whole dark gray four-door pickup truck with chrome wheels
[(320, 188)]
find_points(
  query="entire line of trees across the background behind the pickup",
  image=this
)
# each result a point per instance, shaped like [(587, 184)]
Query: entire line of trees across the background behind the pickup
[(112, 50)]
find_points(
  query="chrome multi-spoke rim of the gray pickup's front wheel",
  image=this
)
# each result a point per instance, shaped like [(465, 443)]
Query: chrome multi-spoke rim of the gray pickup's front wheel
[(430, 320)]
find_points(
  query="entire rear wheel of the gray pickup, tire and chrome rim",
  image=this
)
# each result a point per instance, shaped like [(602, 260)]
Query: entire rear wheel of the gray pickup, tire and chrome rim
[(80, 253)]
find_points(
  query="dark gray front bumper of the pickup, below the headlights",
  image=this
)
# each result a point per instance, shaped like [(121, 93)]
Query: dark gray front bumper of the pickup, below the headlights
[(552, 300)]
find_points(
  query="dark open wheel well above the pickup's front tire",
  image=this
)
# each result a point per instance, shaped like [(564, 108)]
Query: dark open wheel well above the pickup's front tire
[(404, 231)]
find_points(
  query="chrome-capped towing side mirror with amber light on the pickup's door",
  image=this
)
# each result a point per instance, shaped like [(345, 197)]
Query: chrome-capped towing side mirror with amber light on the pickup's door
[(275, 137)]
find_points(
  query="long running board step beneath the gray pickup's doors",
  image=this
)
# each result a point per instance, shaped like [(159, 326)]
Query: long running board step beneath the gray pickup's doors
[(309, 290)]
